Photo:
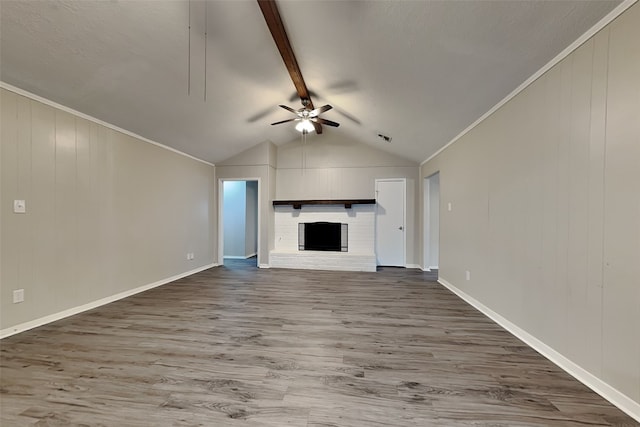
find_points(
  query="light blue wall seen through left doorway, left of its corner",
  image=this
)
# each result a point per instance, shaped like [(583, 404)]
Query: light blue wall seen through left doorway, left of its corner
[(234, 218)]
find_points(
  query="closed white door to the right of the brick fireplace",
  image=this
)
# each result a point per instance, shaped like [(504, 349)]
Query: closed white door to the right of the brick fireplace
[(390, 222)]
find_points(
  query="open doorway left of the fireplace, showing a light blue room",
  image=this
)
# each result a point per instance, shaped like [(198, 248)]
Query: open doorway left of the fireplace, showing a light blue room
[(239, 223)]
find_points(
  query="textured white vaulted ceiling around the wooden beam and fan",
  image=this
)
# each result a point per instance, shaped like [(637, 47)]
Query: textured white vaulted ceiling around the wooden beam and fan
[(419, 71)]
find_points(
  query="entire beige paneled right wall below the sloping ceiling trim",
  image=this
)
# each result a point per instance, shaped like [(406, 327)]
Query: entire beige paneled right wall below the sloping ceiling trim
[(545, 197)]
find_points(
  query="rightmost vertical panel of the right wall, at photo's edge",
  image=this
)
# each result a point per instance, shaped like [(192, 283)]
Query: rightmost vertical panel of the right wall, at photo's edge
[(621, 298)]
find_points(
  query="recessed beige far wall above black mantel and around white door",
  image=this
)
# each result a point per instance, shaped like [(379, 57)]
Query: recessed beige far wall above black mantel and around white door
[(331, 166)]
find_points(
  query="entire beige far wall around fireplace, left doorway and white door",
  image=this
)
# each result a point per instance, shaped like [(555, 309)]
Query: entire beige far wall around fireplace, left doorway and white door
[(328, 166)]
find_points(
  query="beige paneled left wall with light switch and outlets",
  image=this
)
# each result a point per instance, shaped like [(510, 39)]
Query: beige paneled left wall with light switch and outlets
[(101, 220)]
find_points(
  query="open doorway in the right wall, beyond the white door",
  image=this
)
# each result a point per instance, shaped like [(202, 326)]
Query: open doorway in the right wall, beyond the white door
[(431, 238)]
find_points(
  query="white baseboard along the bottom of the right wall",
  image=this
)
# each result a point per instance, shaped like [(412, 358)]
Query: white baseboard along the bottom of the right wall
[(622, 401)]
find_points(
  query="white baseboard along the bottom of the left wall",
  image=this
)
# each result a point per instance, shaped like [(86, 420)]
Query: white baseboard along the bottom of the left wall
[(7, 332)]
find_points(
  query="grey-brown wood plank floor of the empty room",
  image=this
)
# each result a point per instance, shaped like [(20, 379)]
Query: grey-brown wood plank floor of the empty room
[(240, 346)]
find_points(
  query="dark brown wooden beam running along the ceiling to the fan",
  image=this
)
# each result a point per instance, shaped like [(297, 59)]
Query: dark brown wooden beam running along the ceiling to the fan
[(273, 19)]
